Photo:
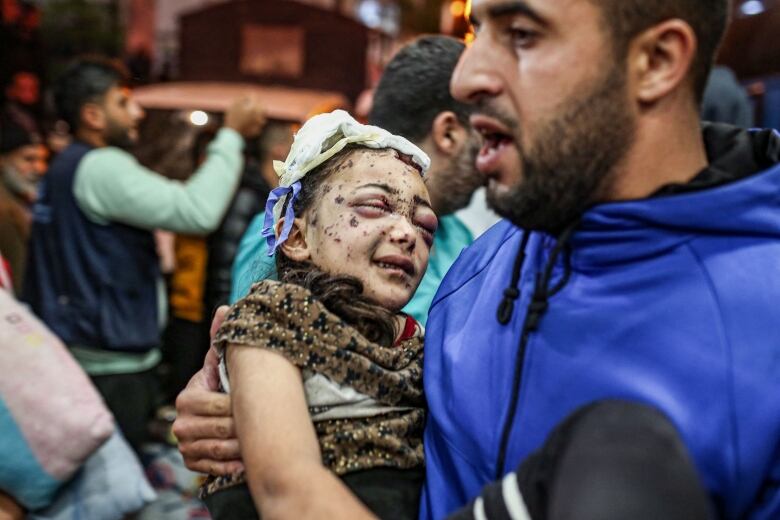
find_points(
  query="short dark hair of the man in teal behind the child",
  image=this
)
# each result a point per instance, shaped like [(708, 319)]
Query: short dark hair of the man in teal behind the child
[(415, 87)]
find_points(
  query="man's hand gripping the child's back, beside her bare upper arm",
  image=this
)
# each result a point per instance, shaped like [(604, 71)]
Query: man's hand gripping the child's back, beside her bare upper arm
[(204, 424)]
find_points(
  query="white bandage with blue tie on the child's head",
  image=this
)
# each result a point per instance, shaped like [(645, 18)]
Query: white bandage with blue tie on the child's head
[(319, 139)]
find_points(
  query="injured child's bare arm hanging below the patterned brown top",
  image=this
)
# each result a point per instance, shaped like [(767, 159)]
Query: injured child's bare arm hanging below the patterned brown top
[(278, 442)]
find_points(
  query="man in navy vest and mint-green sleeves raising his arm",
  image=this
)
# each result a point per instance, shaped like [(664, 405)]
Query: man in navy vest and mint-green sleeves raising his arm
[(92, 273)]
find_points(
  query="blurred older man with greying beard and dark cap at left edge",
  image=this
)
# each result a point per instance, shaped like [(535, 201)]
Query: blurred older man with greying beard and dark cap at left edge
[(22, 165)]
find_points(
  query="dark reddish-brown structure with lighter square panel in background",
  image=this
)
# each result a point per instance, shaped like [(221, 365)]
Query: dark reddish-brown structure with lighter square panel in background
[(275, 42)]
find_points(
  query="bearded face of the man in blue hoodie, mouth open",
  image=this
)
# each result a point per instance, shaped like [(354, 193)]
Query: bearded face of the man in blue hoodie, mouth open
[(548, 85)]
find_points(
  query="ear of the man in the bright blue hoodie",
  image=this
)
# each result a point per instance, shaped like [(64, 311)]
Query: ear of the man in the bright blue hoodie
[(660, 59)]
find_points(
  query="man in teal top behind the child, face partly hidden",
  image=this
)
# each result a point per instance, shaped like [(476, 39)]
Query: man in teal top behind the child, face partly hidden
[(412, 100)]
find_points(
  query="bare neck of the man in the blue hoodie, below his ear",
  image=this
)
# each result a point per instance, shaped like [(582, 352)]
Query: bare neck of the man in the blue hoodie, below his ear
[(666, 150)]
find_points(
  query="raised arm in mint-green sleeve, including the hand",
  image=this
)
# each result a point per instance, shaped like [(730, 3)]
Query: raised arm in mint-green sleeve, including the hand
[(111, 186)]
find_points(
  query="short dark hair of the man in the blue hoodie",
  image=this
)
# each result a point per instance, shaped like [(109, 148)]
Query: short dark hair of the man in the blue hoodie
[(708, 18)]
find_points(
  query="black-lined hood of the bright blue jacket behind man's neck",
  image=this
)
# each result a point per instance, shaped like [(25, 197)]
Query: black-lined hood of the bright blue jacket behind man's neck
[(737, 194)]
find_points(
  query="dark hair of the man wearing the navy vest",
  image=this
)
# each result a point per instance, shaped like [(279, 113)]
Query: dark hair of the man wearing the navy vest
[(86, 80)]
